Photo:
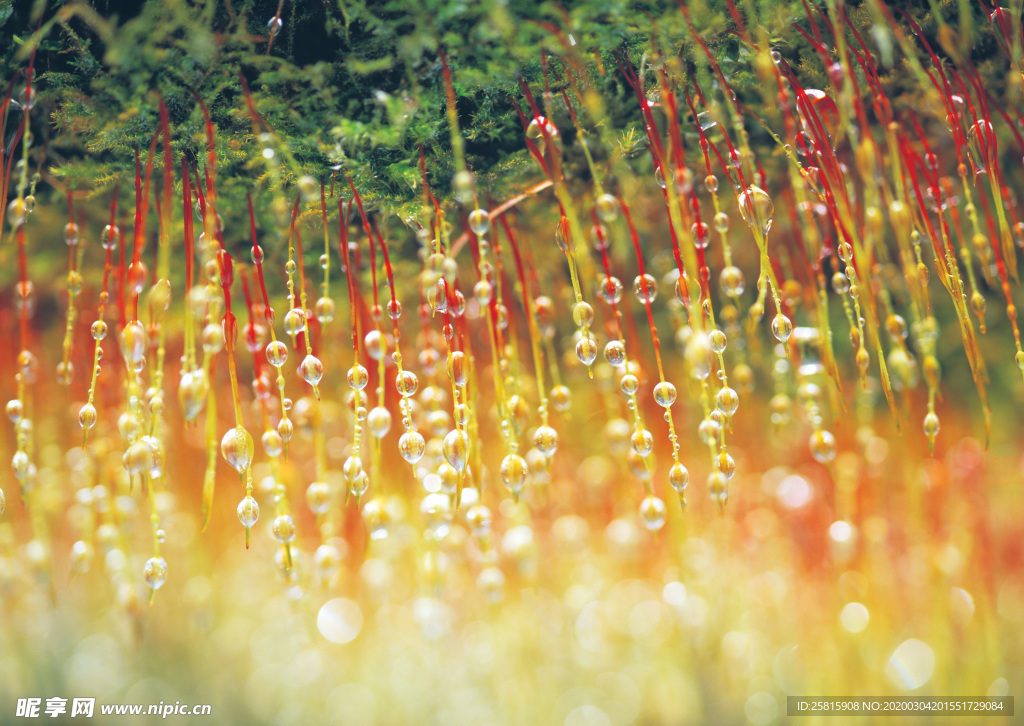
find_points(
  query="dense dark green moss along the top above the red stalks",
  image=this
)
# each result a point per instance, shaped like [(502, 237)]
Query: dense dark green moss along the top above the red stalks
[(360, 84)]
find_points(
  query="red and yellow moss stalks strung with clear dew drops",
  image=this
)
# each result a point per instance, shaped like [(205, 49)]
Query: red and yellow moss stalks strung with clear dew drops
[(445, 447)]
